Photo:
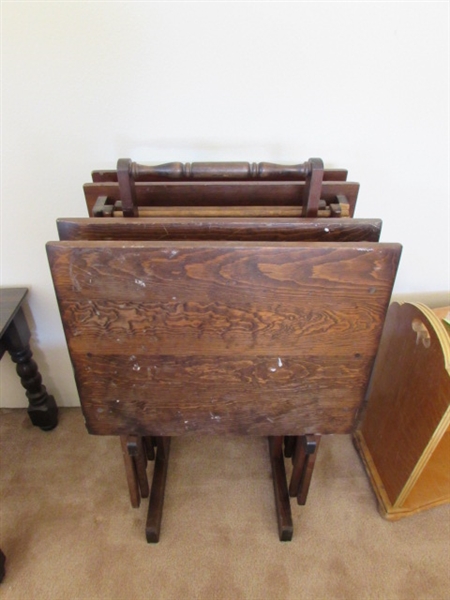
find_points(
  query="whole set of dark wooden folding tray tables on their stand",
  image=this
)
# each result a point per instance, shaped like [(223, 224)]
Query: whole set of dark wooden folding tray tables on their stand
[(221, 298)]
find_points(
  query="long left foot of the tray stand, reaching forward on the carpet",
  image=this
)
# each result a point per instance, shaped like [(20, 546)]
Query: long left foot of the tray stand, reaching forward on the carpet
[(155, 507)]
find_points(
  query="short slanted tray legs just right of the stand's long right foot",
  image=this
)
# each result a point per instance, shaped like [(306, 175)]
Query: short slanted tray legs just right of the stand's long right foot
[(306, 449)]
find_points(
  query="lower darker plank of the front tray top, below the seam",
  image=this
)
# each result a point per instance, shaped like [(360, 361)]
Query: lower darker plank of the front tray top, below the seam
[(179, 409)]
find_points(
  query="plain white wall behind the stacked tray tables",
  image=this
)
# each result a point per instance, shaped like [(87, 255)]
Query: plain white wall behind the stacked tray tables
[(362, 85)]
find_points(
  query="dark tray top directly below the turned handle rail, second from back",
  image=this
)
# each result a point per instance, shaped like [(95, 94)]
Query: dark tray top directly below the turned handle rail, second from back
[(221, 194)]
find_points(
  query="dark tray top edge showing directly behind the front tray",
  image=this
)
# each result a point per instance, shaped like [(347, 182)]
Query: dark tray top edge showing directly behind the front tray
[(233, 229)]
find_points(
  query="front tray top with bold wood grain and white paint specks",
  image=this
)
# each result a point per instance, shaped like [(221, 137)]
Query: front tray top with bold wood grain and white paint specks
[(222, 337)]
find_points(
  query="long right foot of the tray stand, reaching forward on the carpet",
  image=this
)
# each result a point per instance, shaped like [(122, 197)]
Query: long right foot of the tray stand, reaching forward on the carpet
[(282, 503)]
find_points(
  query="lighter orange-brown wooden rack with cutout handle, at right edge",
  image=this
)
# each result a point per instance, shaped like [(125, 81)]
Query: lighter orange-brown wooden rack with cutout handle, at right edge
[(404, 437)]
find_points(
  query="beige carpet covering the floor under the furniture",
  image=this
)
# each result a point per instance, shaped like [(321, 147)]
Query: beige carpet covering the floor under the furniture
[(69, 532)]
